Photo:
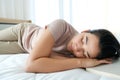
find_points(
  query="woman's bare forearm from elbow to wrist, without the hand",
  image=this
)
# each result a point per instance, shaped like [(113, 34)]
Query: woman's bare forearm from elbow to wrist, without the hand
[(46, 65)]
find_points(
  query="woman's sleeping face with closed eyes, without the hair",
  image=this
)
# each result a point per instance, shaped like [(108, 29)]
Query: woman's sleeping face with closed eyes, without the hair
[(84, 45)]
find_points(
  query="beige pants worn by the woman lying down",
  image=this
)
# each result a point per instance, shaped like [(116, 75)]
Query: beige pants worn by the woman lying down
[(11, 39)]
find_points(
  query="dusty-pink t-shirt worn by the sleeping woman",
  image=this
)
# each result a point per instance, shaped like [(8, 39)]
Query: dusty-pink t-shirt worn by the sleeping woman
[(61, 31)]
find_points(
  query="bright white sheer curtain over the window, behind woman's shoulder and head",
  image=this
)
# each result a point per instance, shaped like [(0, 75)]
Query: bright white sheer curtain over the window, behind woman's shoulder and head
[(82, 14)]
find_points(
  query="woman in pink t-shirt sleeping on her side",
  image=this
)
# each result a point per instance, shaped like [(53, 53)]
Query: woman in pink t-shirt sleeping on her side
[(59, 46)]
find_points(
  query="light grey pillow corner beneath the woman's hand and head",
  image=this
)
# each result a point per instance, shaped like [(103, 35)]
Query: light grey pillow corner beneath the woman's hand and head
[(111, 70)]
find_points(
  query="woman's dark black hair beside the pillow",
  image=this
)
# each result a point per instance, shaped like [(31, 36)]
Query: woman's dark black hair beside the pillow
[(108, 44)]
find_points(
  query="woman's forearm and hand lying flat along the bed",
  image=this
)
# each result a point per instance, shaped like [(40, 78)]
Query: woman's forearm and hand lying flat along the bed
[(47, 65)]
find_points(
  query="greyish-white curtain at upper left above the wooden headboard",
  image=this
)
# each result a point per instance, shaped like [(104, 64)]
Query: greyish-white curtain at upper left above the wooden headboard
[(17, 9)]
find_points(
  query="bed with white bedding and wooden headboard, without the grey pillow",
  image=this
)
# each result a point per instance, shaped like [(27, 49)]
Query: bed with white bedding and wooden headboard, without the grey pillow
[(12, 66)]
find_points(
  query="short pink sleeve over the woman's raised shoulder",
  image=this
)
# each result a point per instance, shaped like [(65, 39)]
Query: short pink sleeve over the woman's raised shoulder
[(58, 28)]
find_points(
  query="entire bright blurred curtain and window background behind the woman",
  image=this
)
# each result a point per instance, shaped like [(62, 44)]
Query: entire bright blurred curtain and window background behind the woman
[(82, 14)]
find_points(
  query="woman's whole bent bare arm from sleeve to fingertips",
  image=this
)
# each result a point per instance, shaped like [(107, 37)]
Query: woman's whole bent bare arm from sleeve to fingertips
[(40, 61)]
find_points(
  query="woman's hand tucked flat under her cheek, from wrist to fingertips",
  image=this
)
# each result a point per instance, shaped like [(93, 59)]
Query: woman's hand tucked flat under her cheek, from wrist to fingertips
[(85, 63)]
